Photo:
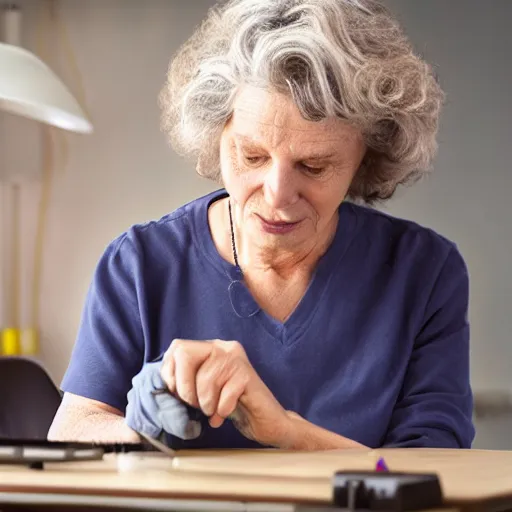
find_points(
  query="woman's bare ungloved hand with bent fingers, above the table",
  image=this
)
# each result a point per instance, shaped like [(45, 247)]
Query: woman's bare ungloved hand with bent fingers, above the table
[(217, 377)]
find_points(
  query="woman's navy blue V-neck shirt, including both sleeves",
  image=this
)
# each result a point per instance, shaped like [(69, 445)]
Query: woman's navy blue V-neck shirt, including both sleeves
[(377, 350)]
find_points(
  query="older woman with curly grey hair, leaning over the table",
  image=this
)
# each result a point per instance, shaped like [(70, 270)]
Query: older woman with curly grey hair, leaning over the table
[(282, 310)]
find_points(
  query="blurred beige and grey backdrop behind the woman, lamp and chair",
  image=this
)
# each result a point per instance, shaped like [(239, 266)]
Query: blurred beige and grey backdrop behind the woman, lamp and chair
[(75, 192)]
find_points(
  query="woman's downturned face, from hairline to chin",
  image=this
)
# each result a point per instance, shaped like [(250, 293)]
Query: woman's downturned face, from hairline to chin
[(286, 176)]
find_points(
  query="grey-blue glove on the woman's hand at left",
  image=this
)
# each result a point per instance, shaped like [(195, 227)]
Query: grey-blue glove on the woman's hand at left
[(151, 411)]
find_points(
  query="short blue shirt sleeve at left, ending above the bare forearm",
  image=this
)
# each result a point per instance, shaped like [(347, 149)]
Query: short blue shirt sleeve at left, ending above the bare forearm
[(109, 348)]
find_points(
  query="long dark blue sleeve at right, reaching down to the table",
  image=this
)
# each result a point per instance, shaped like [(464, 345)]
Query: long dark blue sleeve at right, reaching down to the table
[(435, 405)]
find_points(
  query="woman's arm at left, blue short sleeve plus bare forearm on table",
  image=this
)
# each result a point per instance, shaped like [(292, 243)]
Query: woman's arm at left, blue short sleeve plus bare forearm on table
[(107, 354)]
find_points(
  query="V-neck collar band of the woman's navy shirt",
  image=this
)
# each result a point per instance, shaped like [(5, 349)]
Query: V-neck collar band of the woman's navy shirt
[(292, 328)]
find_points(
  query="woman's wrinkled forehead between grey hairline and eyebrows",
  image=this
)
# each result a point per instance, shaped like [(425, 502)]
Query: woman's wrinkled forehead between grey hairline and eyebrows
[(271, 119)]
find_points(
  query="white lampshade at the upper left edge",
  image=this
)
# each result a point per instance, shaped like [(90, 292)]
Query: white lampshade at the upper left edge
[(28, 87)]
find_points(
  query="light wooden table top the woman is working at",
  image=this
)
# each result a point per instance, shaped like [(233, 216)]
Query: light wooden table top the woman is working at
[(250, 480)]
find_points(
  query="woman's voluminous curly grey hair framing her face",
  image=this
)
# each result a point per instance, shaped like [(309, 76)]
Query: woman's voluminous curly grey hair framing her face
[(343, 58)]
